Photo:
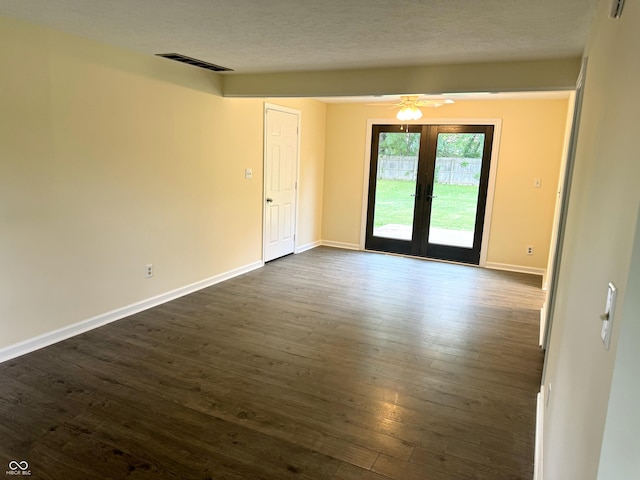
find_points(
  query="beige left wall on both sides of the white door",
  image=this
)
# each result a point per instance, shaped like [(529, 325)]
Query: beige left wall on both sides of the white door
[(111, 160)]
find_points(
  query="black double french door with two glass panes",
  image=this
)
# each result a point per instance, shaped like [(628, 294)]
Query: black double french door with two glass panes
[(428, 190)]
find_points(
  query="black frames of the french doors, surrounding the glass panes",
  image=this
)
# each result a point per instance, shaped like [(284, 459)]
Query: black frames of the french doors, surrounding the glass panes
[(424, 190)]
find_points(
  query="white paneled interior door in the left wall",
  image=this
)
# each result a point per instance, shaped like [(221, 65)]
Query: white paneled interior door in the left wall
[(281, 169)]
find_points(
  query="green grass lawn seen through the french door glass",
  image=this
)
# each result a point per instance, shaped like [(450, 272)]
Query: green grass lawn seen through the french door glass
[(454, 209)]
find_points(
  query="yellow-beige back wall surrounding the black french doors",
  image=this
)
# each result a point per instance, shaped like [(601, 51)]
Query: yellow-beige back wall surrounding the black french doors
[(530, 147)]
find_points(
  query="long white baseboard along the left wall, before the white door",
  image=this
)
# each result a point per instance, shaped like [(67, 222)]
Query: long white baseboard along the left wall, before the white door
[(55, 336)]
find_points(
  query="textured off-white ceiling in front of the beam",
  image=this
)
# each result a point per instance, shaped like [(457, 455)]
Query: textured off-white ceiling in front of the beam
[(291, 35)]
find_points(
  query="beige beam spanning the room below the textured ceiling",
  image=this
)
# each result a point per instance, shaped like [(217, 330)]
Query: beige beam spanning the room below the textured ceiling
[(515, 76)]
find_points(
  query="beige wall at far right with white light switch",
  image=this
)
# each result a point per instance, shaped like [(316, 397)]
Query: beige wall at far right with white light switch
[(601, 227)]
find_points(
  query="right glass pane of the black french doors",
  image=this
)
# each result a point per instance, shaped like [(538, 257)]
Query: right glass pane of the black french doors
[(455, 189)]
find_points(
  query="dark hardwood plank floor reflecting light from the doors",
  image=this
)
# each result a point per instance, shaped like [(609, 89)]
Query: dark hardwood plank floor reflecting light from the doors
[(330, 364)]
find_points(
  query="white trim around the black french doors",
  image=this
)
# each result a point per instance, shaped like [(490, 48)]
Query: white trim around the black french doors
[(493, 169)]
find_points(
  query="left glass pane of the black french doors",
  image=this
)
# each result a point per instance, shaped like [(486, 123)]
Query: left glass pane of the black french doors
[(396, 185)]
